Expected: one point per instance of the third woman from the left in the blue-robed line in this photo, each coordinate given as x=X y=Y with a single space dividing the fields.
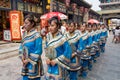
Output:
x=73 y=39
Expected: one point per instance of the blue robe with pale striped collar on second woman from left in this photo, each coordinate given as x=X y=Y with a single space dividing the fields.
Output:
x=59 y=50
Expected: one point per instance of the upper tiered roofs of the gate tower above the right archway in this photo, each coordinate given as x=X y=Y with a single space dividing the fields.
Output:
x=110 y=9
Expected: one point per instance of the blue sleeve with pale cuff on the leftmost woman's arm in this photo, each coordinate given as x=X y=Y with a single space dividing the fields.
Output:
x=38 y=48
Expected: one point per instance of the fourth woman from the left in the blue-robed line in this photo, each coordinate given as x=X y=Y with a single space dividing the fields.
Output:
x=85 y=56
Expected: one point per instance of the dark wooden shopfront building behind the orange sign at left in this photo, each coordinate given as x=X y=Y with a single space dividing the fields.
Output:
x=23 y=6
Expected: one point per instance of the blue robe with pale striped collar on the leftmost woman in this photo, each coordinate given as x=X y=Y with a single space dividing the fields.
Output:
x=31 y=49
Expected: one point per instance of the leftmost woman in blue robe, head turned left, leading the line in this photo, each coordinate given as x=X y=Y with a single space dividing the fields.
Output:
x=30 y=51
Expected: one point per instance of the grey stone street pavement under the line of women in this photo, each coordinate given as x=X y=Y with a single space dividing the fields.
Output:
x=107 y=66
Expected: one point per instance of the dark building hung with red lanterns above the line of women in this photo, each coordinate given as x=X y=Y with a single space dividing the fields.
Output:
x=76 y=10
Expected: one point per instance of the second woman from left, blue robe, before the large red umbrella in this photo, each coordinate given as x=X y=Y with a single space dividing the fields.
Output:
x=58 y=52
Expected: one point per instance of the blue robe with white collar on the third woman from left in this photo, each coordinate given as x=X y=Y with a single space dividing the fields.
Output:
x=73 y=40
